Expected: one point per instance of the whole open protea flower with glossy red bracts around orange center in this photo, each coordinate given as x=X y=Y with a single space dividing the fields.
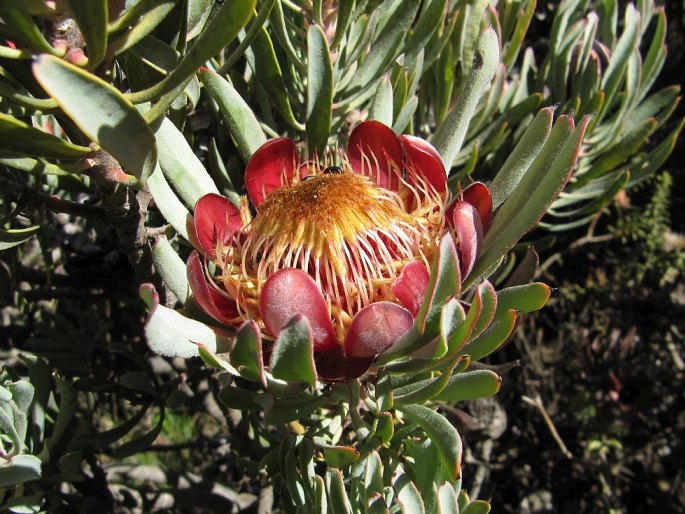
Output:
x=344 y=240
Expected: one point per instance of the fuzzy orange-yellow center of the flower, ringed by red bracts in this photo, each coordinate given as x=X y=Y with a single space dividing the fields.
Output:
x=350 y=235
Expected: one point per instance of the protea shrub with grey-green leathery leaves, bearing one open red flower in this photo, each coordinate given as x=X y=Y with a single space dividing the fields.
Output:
x=292 y=184
